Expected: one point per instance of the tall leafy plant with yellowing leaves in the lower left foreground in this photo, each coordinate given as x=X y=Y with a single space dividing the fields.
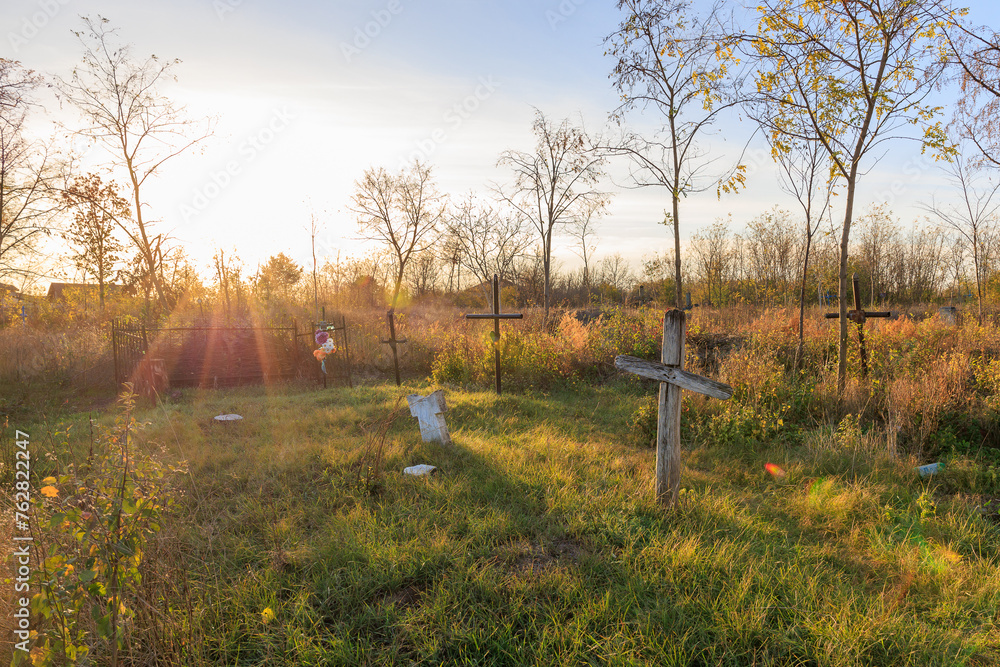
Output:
x=97 y=522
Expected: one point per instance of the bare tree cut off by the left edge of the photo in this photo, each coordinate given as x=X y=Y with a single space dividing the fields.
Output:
x=29 y=175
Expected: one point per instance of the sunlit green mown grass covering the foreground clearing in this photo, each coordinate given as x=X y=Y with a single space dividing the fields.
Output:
x=539 y=541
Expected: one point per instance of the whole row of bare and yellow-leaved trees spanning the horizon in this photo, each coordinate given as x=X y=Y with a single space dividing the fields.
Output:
x=828 y=99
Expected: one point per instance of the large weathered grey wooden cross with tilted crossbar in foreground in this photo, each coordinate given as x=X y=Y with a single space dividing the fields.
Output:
x=672 y=377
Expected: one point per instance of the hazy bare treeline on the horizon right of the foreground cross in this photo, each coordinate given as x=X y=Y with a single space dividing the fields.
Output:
x=896 y=264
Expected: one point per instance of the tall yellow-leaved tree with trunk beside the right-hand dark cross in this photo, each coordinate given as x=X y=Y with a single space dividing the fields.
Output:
x=850 y=75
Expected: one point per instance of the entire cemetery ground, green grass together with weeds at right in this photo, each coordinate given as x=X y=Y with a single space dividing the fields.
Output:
x=294 y=537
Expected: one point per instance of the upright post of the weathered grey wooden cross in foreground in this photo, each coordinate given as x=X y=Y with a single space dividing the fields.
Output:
x=668 y=423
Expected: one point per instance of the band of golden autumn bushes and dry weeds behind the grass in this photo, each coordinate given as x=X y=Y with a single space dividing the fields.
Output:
x=932 y=387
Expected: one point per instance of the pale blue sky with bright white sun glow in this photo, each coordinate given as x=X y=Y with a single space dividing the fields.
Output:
x=305 y=95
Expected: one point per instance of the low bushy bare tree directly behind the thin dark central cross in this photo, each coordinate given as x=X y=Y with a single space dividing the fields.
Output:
x=486 y=240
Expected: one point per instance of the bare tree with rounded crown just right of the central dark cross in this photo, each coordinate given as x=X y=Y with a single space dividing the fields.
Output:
x=554 y=184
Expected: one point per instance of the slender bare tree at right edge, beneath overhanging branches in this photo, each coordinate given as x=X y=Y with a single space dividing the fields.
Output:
x=973 y=218
